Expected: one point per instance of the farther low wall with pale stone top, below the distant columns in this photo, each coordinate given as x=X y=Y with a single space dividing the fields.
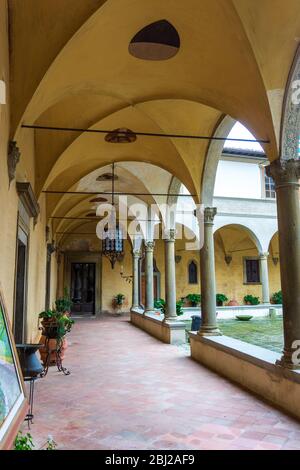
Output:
x=165 y=331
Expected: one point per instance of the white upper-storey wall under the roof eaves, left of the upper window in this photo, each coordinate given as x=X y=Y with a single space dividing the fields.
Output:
x=238 y=179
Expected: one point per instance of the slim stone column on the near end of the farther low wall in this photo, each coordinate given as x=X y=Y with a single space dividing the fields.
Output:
x=170 y=276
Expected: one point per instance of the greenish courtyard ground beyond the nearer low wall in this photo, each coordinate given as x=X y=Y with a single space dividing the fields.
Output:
x=262 y=331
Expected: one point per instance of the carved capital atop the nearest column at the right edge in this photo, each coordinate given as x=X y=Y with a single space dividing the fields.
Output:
x=284 y=172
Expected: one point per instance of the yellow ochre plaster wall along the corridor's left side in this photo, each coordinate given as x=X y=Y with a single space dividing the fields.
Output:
x=9 y=208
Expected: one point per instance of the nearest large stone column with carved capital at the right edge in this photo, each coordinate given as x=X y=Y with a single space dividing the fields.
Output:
x=286 y=175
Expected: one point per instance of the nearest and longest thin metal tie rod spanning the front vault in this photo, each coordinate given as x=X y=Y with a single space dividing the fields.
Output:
x=146 y=134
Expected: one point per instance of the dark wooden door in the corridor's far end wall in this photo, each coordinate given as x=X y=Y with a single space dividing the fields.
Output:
x=83 y=288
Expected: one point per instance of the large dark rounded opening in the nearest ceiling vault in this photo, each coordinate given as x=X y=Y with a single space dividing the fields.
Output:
x=157 y=41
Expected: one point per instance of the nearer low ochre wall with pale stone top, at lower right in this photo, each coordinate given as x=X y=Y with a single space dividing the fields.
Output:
x=252 y=367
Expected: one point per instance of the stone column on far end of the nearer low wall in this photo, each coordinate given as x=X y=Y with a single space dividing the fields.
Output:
x=209 y=325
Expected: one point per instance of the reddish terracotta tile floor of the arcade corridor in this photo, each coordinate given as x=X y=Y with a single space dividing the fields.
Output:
x=129 y=391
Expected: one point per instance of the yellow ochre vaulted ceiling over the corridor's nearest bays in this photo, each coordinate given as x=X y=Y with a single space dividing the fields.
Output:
x=71 y=67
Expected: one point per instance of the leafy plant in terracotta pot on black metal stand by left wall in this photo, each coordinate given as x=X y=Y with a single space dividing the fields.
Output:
x=55 y=326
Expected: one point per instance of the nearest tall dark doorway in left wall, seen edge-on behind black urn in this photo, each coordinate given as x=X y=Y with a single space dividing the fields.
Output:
x=21 y=287
